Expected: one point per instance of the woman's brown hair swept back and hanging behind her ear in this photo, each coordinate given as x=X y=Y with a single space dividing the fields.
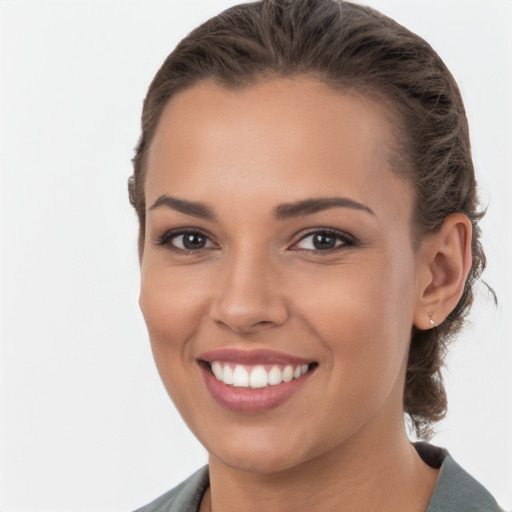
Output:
x=348 y=47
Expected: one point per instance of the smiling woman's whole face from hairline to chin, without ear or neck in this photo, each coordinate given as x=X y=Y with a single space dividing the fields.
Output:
x=278 y=242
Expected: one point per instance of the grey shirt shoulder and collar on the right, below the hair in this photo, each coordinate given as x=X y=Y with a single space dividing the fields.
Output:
x=456 y=489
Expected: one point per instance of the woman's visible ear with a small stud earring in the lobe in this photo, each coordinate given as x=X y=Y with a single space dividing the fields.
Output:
x=445 y=263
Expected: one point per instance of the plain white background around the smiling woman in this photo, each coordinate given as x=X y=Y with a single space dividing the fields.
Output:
x=85 y=423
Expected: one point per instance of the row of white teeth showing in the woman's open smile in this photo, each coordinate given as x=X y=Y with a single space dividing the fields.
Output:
x=257 y=376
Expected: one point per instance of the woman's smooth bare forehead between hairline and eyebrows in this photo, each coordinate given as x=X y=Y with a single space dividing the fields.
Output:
x=294 y=132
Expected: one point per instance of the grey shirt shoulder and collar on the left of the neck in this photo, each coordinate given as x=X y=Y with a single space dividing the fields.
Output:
x=186 y=497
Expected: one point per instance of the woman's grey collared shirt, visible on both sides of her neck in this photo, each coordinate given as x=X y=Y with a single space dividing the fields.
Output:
x=455 y=491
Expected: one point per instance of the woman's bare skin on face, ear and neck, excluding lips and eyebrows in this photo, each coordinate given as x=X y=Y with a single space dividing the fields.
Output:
x=340 y=442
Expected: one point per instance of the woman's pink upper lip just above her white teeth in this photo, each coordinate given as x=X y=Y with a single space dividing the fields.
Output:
x=252 y=357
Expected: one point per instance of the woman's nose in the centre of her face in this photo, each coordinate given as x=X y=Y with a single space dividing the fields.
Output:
x=248 y=296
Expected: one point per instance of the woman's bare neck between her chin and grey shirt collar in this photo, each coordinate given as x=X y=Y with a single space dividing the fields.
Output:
x=365 y=474
